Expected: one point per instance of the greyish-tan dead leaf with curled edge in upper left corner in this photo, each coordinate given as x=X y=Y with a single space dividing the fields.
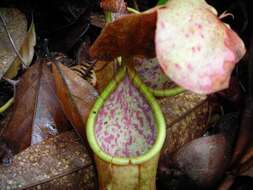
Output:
x=24 y=42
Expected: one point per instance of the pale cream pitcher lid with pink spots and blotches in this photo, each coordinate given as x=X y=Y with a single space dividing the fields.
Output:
x=199 y=52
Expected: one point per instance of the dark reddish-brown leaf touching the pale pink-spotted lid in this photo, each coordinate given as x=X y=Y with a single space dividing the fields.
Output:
x=129 y=35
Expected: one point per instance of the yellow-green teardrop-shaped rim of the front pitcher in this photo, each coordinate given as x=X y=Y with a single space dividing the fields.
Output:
x=159 y=122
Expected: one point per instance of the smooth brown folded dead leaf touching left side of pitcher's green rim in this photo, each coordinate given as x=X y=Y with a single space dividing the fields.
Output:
x=76 y=96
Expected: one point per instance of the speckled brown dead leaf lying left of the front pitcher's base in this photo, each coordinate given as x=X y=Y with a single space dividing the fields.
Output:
x=55 y=163
